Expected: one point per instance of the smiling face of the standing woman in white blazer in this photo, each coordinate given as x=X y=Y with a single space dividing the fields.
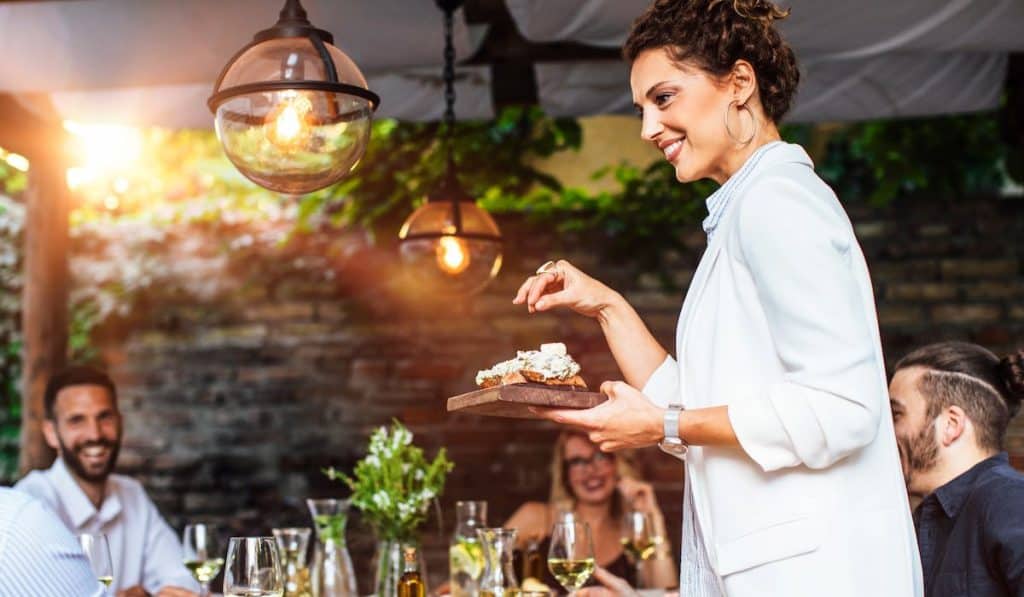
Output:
x=684 y=110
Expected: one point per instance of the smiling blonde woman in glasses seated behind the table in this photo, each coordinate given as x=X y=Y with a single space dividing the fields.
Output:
x=598 y=488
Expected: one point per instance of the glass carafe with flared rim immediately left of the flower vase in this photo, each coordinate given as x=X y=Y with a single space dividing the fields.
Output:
x=331 y=574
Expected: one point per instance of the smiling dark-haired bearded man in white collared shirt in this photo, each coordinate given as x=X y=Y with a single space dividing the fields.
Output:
x=83 y=424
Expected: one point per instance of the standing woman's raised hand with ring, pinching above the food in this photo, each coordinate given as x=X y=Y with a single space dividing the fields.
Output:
x=565 y=286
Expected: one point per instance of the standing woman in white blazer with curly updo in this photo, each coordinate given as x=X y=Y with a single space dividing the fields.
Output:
x=794 y=484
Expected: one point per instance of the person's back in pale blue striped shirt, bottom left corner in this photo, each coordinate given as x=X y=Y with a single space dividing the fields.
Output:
x=39 y=557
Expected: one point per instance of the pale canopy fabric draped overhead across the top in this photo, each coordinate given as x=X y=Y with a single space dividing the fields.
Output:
x=154 y=62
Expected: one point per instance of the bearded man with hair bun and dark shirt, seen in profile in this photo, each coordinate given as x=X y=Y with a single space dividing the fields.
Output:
x=952 y=403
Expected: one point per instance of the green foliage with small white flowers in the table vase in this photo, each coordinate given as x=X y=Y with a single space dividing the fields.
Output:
x=395 y=485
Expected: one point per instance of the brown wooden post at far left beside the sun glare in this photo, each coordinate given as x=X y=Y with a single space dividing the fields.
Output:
x=39 y=136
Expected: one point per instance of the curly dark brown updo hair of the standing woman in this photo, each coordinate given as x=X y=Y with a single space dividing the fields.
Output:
x=714 y=34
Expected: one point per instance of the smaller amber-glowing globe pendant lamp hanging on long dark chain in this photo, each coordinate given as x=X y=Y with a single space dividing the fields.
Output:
x=450 y=244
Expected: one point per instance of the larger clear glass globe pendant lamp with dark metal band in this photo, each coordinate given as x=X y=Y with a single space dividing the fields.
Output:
x=292 y=111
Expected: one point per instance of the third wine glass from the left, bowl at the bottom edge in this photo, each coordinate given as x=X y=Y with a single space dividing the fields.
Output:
x=253 y=569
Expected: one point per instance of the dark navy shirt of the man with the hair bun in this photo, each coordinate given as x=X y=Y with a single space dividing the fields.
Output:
x=971 y=533
